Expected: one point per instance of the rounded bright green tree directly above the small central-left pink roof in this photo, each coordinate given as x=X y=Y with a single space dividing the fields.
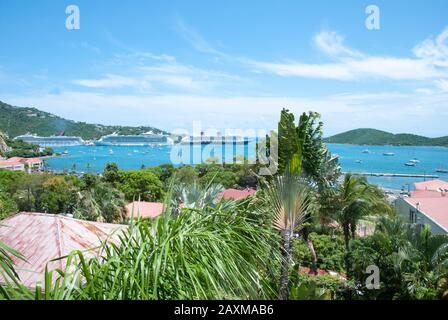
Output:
x=141 y=184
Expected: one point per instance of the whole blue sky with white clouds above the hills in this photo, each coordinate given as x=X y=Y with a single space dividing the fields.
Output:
x=230 y=64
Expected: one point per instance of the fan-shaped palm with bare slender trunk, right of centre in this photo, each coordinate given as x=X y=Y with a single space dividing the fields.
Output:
x=290 y=201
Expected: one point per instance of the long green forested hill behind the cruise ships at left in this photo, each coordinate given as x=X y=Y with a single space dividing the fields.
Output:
x=15 y=121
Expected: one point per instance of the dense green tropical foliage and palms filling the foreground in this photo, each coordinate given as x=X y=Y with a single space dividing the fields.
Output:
x=204 y=247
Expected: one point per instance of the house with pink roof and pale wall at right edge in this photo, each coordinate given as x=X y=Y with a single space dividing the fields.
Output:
x=427 y=205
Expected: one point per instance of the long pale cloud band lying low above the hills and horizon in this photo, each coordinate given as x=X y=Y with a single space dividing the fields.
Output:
x=390 y=111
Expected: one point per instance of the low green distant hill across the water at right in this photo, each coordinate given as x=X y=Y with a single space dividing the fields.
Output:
x=378 y=137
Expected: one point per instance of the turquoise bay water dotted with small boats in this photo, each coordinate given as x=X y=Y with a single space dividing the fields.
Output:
x=94 y=158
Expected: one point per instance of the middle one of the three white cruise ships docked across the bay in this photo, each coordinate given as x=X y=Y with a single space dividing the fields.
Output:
x=146 y=139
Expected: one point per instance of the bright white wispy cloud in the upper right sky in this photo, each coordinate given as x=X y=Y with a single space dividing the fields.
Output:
x=352 y=64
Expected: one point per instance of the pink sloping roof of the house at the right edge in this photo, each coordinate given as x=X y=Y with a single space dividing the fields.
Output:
x=436 y=208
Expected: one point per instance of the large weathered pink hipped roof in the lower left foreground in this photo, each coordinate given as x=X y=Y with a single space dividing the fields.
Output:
x=43 y=237
